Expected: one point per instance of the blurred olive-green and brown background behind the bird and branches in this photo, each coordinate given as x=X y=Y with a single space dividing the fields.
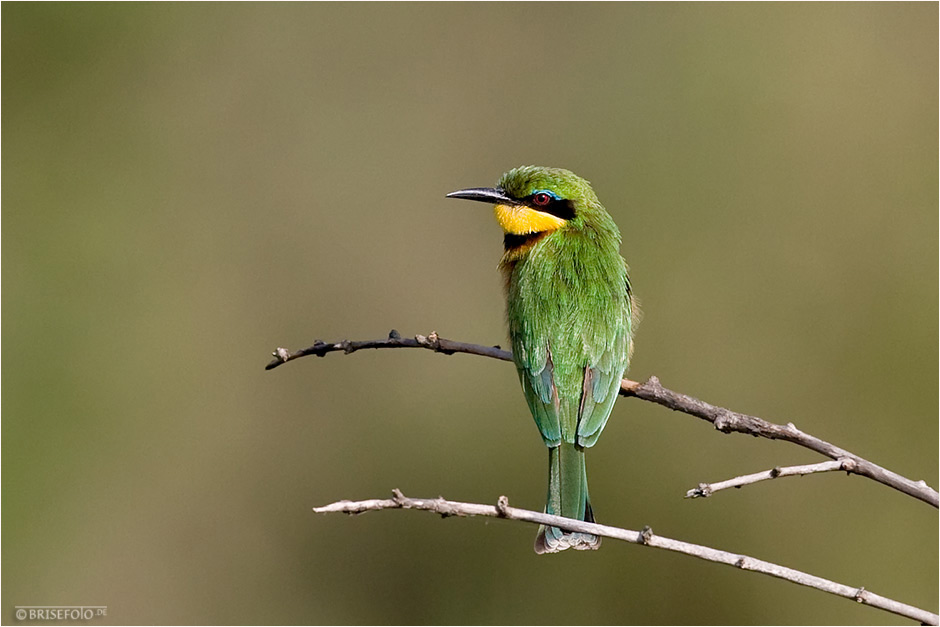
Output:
x=187 y=187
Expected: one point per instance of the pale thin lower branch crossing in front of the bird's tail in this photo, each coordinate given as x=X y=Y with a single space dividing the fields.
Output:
x=645 y=537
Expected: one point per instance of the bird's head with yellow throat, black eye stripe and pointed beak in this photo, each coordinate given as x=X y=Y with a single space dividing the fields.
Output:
x=533 y=199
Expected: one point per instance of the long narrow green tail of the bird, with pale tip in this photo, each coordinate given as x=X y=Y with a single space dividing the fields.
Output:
x=568 y=497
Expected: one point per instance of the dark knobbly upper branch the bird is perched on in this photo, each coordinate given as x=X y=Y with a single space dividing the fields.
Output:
x=725 y=420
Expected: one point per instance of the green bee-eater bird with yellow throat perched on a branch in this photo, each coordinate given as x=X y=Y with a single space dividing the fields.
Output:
x=571 y=318
